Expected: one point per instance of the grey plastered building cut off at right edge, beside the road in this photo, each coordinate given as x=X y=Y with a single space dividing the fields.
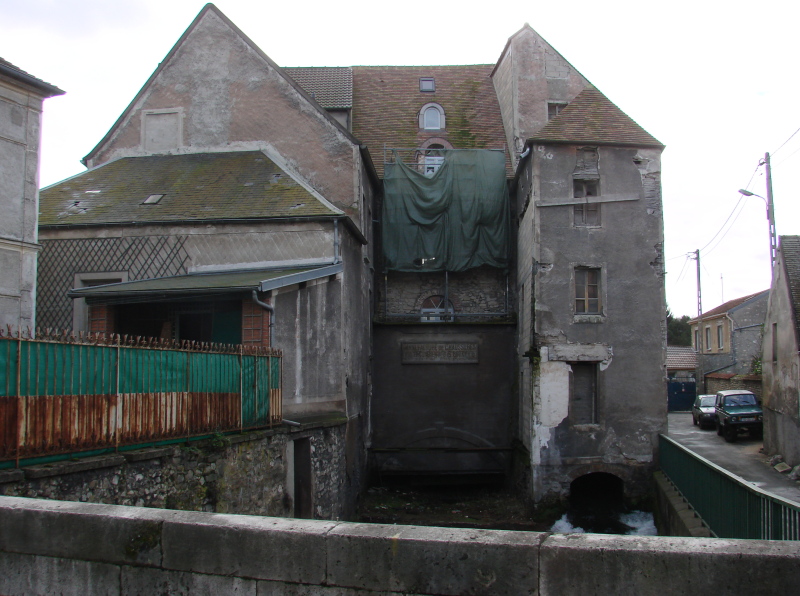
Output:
x=781 y=360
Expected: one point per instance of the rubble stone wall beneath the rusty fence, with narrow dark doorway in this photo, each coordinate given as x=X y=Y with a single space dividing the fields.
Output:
x=247 y=473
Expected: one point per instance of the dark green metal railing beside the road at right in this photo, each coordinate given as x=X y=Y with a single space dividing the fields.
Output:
x=729 y=506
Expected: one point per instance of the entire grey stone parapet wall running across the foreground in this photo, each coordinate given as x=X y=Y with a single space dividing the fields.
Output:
x=51 y=547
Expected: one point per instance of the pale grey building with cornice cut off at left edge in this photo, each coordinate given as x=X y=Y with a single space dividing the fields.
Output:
x=21 y=98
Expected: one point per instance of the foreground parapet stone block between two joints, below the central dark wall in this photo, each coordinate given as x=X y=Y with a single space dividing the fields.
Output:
x=431 y=560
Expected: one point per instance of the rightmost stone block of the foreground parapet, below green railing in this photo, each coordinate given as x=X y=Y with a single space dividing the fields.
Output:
x=606 y=564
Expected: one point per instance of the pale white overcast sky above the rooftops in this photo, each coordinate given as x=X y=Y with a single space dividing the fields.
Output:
x=716 y=82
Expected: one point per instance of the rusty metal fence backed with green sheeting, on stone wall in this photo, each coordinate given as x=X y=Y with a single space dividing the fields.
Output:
x=70 y=394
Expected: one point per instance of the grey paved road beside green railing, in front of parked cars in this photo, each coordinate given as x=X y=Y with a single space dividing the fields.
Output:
x=742 y=458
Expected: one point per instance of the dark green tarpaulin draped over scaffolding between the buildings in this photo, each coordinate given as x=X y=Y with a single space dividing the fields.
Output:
x=452 y=219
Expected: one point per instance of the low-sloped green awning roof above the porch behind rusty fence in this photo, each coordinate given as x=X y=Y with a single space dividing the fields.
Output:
x=202 y=284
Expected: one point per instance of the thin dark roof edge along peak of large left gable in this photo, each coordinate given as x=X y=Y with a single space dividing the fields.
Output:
x=163 y=64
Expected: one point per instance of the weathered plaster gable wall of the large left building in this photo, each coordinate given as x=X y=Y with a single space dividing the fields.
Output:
x=231 y=98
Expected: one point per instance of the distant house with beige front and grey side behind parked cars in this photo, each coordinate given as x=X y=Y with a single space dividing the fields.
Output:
x=727 y=340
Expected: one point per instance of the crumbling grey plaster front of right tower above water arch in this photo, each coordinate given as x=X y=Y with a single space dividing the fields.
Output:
x=627 y=340
